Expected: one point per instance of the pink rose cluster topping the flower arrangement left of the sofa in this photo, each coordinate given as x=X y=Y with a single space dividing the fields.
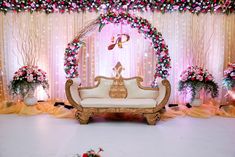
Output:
x=31 y=74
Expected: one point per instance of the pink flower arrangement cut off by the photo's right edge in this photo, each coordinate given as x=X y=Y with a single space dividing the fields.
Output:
x=229 y=77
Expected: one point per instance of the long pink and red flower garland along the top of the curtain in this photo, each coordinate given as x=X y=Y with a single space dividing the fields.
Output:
x=51 y=6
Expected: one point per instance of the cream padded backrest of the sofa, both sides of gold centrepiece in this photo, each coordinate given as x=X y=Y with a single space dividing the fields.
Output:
x=134 y=89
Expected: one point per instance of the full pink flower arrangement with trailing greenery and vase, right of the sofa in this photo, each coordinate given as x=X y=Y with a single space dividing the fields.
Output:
x=195 y=78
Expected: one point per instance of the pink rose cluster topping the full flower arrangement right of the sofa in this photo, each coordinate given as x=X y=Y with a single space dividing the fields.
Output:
x=195 y=73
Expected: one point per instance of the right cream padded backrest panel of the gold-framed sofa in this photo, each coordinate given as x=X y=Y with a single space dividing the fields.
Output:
x=134 y=92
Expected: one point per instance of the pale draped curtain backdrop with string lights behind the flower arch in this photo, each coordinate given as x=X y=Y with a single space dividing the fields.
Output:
x=206 y=40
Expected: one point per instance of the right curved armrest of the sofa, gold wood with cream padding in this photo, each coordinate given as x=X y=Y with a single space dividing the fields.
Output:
x=164 y=93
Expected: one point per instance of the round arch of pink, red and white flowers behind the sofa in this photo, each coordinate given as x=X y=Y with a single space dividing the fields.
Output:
x=142 y=25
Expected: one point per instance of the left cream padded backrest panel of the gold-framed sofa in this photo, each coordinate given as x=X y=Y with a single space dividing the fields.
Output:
x=102 y=91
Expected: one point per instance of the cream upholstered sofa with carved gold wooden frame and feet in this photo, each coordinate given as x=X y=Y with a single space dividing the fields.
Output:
x=144 y=100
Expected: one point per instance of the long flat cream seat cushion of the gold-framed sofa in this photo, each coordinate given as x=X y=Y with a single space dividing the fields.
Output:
x=112 y=102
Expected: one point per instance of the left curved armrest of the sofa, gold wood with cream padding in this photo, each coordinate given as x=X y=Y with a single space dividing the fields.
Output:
x=71 y=90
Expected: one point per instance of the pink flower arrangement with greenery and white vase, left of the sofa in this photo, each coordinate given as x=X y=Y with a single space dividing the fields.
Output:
x=26 y=80
